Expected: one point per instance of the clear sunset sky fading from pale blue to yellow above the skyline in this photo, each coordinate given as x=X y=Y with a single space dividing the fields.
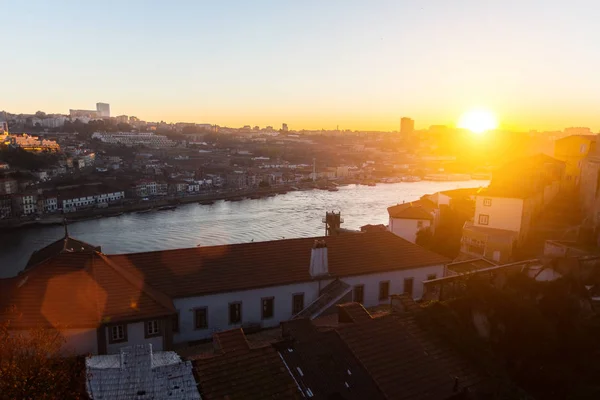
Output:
x=312 y=64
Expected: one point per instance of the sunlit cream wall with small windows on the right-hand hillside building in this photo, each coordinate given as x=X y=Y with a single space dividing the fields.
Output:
x=504 y=213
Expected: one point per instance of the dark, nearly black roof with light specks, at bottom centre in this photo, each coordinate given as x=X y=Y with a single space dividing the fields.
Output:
x=323 y=365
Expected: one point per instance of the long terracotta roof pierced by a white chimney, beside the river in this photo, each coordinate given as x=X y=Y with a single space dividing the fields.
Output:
x=214 y=269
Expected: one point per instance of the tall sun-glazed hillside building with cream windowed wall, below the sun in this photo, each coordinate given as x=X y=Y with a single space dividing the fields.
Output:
x=504 y=211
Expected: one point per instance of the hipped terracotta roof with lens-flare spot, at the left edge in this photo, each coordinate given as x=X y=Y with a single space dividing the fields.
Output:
x=80 y=290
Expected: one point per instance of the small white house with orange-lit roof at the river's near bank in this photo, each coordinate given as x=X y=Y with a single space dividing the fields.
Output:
x=407 y=219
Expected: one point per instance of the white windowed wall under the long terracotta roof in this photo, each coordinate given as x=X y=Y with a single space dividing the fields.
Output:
x=218 y=304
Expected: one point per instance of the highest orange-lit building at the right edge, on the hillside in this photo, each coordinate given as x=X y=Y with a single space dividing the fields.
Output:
x=573 y=150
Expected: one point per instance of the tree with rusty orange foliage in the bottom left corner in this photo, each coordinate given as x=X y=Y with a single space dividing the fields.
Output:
x=33 y=367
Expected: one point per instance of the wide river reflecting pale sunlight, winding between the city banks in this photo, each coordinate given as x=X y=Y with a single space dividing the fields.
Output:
x=295 y=214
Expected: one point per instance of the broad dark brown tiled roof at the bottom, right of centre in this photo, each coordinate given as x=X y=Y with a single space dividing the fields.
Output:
x=405 y=361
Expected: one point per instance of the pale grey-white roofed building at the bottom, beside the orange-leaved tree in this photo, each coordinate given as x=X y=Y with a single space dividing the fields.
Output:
x=140 y=373
